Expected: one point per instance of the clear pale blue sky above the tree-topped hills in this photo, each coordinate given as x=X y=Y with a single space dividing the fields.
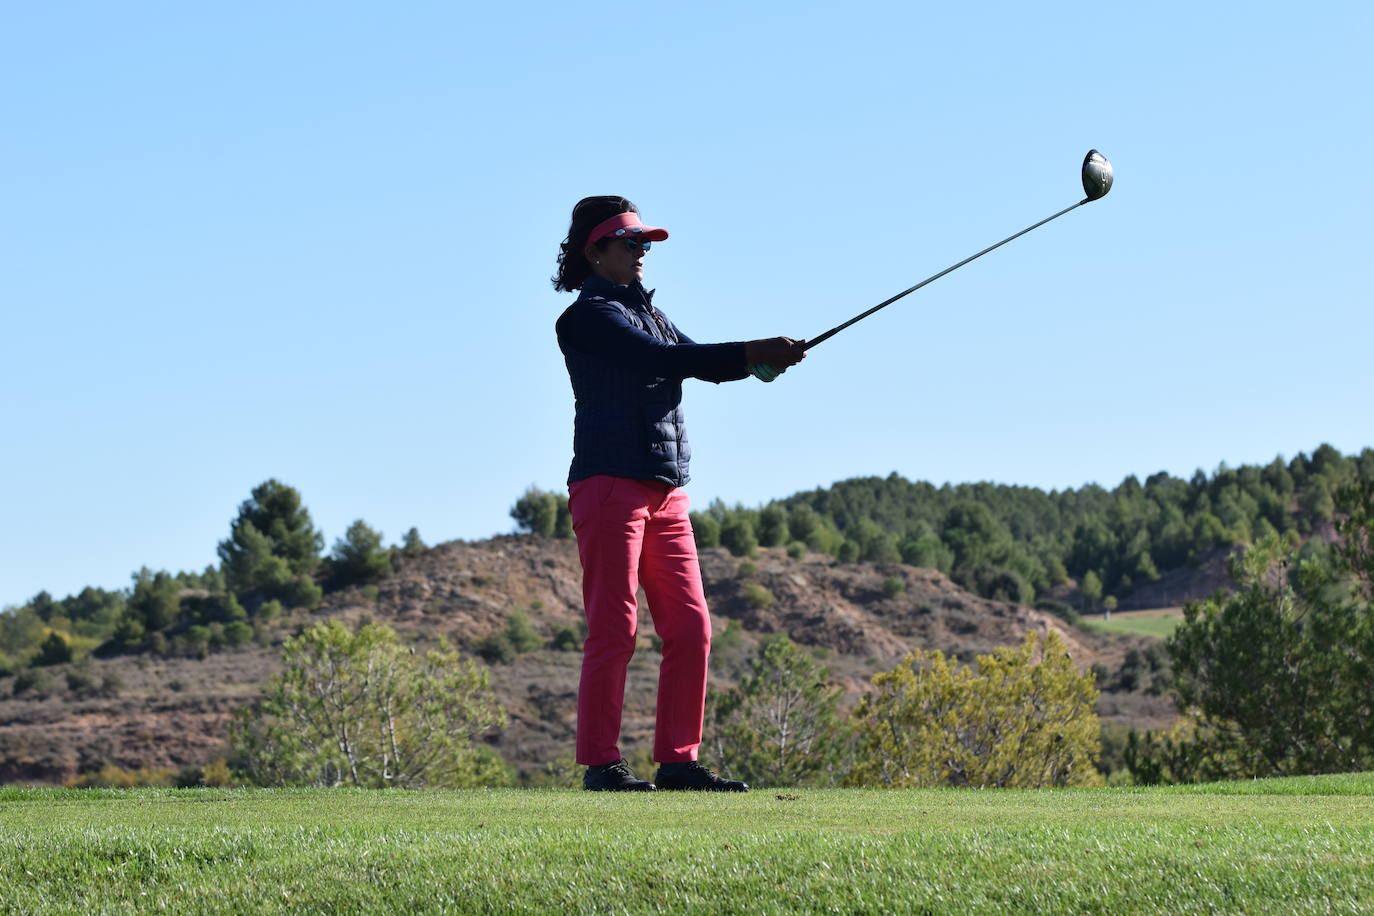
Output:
x=314 y=242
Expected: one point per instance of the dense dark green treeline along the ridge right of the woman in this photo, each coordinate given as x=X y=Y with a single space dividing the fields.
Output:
x=1017 y=543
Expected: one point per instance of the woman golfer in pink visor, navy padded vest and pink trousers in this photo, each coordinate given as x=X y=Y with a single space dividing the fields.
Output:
x=627 y=363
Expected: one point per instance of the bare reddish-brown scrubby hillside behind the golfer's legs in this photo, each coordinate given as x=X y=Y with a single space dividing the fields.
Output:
x=146 y=711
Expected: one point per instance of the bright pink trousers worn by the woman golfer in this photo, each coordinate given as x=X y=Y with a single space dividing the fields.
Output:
x=634 y=534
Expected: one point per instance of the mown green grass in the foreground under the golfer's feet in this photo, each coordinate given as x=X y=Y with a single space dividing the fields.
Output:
x=1291 y=847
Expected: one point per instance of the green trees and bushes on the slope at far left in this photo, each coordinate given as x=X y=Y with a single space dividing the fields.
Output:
x=271 y=562
